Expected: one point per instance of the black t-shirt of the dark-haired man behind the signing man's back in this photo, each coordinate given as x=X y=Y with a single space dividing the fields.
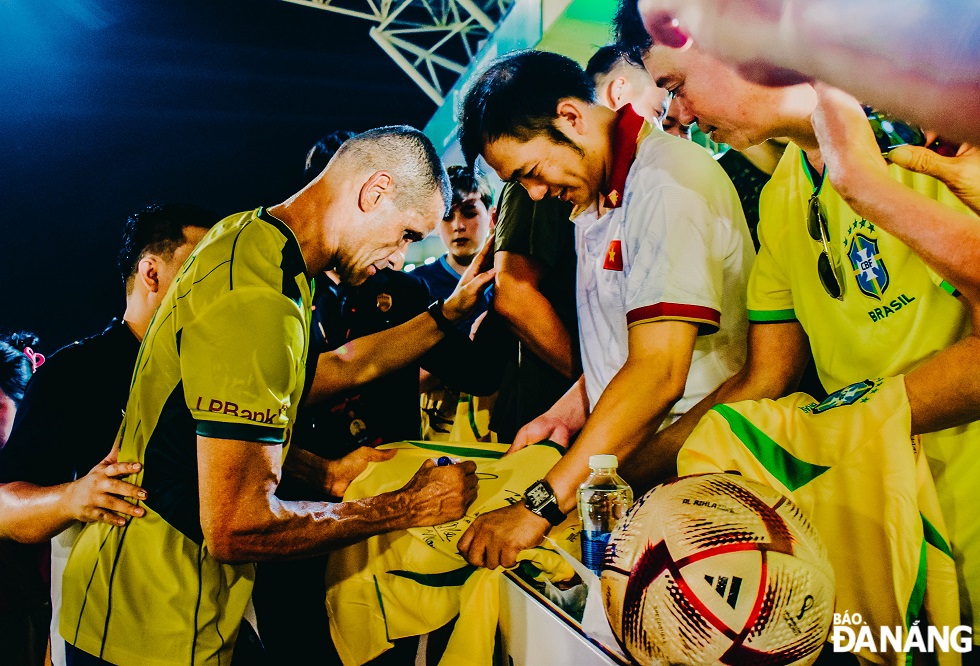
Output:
x=64 y=427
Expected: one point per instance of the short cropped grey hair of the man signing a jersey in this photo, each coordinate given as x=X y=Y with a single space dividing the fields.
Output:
x=410 y=157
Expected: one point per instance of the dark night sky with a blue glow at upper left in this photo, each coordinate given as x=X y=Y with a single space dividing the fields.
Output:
x=109 y=105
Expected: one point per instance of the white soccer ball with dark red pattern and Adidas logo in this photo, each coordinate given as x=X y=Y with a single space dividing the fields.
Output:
x=713 y=568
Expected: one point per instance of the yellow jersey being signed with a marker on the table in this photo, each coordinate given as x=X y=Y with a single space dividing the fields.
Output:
x=411 y=582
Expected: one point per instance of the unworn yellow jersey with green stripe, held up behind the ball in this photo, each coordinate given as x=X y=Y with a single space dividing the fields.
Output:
x=852 y=468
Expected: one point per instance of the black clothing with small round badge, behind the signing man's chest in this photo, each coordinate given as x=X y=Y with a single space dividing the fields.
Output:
x=386 y=409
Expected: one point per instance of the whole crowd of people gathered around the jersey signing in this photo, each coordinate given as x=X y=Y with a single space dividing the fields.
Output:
x=171 y=487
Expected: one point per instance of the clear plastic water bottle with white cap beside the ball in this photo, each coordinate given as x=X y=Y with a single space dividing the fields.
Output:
x=602 y=501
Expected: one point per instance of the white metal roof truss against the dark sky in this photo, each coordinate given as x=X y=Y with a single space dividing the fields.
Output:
x=433 y=41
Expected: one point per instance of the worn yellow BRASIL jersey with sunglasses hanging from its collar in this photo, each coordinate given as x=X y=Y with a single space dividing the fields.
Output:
x=895 y=311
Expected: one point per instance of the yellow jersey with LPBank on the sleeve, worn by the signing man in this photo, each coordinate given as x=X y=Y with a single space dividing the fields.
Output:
x=224 y=357
